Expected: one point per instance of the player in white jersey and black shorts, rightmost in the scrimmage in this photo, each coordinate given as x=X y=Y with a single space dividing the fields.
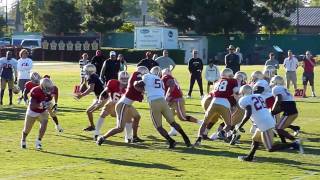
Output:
x=286 y=104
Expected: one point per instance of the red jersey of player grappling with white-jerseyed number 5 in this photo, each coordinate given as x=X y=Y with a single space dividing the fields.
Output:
x=131 y=92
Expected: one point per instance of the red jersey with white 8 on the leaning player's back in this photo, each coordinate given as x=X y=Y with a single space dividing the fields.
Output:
x=224 y=88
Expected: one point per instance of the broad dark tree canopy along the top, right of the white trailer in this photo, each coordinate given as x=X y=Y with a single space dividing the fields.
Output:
x=219 y=16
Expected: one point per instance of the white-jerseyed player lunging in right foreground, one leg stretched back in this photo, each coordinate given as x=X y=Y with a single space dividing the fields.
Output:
x=255 y=108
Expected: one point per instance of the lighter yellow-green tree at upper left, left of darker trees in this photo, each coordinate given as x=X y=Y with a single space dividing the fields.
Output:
x=31 y=15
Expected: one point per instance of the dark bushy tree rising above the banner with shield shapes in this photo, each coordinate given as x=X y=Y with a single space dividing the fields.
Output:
x=60 y=16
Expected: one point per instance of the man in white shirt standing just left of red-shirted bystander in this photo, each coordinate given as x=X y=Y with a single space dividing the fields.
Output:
x=291 y=64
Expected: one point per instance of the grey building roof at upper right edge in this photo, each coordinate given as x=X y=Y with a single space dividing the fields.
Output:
x=308 y=16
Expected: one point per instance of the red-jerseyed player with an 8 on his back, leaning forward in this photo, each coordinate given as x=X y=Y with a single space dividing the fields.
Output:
x=220 y=105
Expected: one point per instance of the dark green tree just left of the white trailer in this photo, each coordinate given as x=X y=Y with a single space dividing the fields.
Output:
x=103 y=15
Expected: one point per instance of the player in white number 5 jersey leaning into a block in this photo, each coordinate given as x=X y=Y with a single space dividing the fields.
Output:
x=153 y=86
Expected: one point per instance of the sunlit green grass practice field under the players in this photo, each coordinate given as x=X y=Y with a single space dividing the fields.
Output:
x=74 y=155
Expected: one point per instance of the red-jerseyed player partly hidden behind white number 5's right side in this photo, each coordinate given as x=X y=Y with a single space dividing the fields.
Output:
x=175 y=99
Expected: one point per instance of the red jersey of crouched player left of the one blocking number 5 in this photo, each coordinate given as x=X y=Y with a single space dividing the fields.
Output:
x=114 y=90
